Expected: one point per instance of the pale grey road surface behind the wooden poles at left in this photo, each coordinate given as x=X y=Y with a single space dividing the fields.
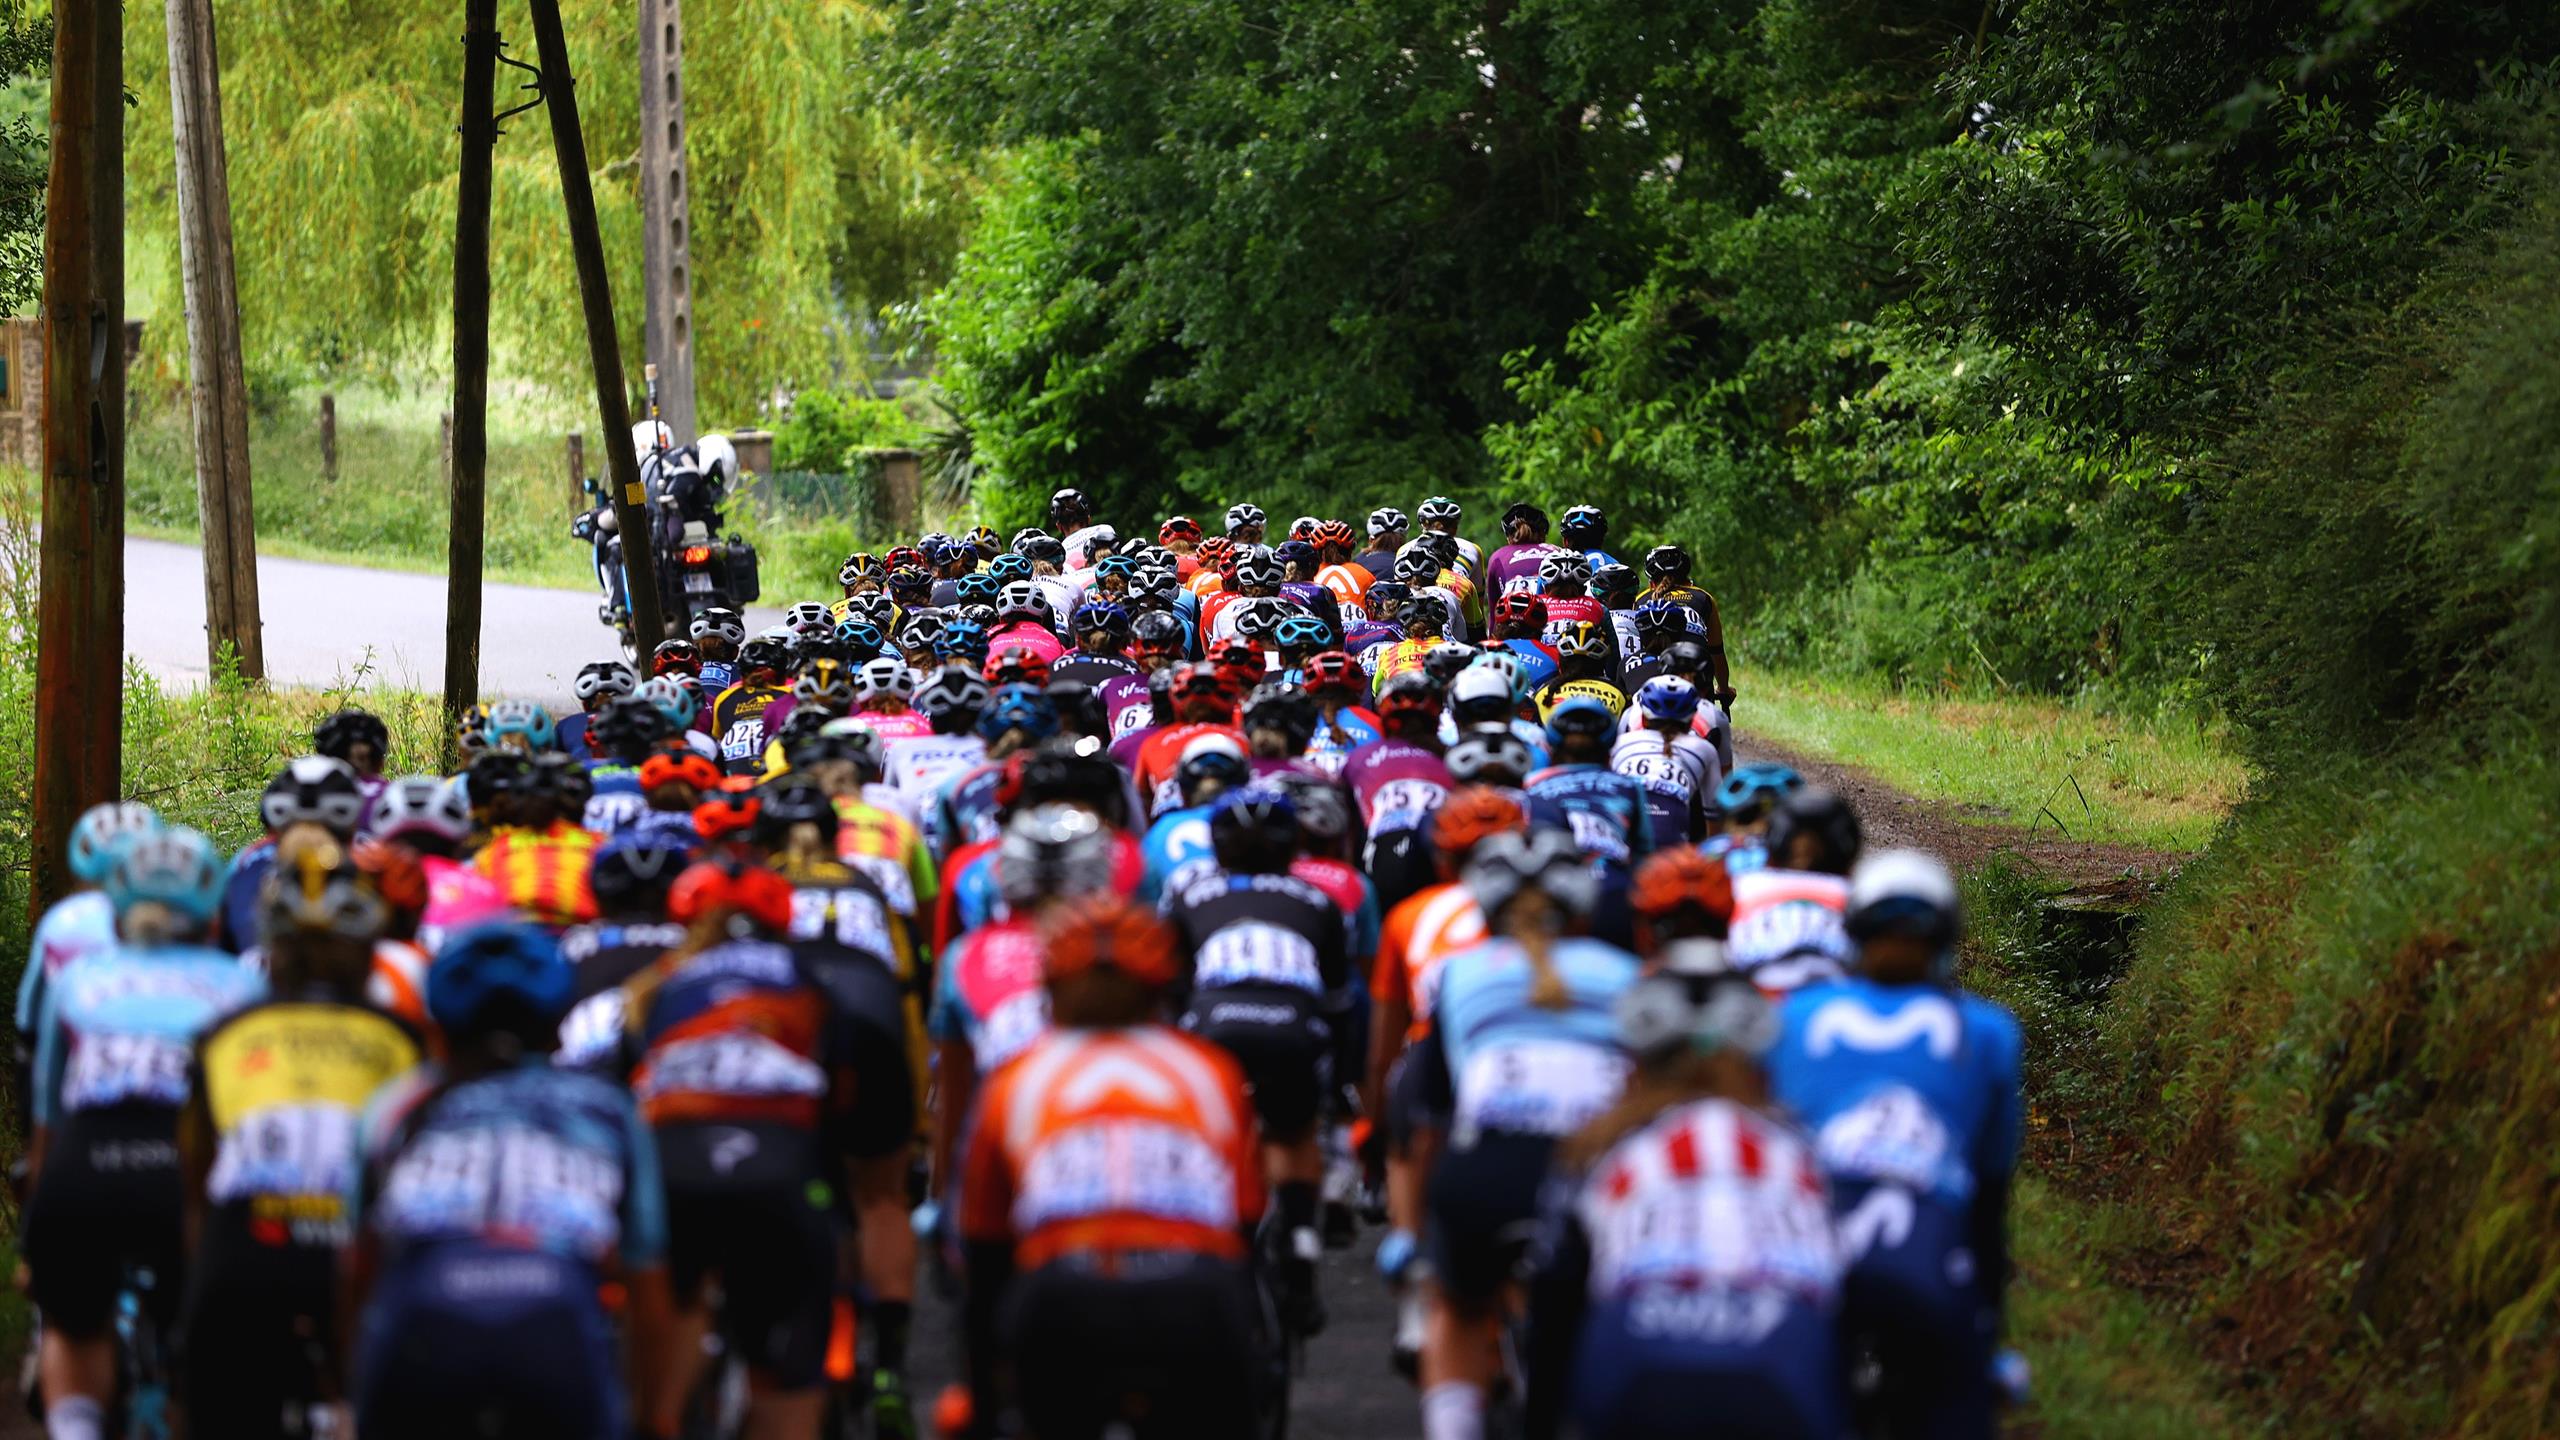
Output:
x=326 y=624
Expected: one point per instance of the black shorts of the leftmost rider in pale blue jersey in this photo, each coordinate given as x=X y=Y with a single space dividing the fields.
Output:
x=106 y=1200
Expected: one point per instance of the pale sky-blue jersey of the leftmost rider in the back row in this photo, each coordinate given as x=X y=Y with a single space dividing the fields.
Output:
x=119 y=1026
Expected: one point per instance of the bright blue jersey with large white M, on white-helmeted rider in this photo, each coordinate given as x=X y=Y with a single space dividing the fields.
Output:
x=1908 y=1085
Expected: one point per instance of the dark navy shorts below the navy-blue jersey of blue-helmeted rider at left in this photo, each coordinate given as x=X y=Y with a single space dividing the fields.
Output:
x=470 y=1339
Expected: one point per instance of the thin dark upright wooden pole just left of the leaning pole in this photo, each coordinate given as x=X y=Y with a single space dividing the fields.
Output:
x=470 y=421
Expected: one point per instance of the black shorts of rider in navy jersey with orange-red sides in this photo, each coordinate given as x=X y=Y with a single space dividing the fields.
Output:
x=772 y=1249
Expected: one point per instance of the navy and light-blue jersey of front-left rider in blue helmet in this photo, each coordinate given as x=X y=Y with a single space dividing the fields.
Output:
x=529 y=1159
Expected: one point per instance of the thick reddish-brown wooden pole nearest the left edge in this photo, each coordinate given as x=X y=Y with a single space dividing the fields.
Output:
x=81 y=629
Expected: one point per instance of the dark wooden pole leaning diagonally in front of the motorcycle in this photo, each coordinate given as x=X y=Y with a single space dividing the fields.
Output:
x=603 y=345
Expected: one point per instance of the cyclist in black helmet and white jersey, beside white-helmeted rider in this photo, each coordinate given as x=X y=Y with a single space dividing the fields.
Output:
x=1788 y=913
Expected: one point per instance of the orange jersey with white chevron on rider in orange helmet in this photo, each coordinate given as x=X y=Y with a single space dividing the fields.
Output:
x=1115 y=1141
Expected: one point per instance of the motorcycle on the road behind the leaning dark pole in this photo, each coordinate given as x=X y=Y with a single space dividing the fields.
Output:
x=698 y=568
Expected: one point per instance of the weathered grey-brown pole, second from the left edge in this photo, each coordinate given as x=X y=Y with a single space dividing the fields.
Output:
x=214 y=342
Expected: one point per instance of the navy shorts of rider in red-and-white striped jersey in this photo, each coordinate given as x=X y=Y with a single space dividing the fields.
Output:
x=1647 y=1382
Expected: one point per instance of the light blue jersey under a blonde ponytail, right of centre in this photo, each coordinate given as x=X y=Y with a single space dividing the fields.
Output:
x=1522 y=1067
